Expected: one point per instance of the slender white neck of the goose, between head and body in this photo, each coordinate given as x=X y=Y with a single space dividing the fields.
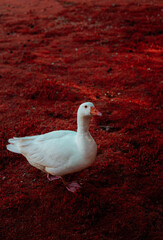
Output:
x=83 y=124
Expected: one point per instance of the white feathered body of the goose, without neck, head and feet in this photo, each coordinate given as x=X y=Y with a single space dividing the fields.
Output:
x=58 y=152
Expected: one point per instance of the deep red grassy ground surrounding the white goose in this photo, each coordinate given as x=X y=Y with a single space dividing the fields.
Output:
x=55 y=55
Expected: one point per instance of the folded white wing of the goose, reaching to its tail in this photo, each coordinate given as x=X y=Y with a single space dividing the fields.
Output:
x=49 y=150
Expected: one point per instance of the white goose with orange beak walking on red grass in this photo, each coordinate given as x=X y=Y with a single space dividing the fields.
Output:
x=61 y=152
